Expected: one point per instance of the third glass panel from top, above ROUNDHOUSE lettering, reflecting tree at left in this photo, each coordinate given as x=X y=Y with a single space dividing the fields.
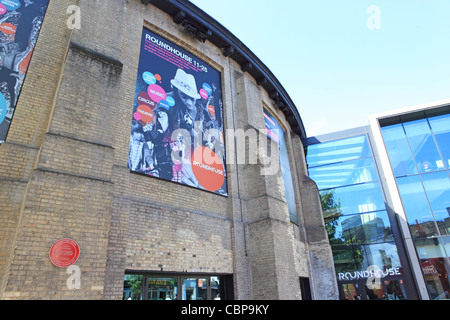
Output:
x=360 y=198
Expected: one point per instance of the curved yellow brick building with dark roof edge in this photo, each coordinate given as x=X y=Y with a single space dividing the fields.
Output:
x=64 y=172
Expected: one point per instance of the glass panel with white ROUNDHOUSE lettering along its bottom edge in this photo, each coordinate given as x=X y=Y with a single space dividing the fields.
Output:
x=349 y=260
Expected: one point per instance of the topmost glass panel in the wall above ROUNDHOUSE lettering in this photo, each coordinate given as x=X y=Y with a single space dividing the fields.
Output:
x=339 y=150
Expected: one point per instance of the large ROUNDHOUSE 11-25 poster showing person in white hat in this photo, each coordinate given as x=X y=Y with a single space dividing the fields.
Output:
x=177 y=123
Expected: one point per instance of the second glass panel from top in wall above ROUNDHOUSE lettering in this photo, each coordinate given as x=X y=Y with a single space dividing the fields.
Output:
x=344 y=173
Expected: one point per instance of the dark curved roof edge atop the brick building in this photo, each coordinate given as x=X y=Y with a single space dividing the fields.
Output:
x=203 y=27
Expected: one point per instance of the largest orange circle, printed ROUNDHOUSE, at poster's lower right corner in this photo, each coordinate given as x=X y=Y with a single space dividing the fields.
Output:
x=208 y=169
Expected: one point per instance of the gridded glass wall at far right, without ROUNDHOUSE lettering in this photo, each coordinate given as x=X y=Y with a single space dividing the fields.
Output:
x=419 y=153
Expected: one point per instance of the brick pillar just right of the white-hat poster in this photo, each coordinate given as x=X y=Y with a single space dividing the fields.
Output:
x=269 y=235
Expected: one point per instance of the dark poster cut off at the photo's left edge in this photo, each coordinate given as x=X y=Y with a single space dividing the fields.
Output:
x=20 y=24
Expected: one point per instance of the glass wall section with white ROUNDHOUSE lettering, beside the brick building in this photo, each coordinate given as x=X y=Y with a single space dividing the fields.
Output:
x=355 y=216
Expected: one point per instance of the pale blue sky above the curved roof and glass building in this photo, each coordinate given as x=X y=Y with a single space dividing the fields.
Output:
x=335 y=68
